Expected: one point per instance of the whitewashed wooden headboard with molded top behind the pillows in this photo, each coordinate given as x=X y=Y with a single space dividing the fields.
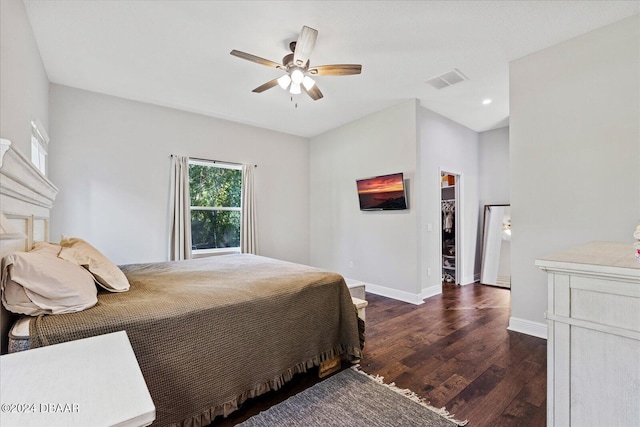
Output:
x=26 y=197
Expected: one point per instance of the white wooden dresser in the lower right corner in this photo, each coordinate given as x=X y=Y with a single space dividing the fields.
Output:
x=593 y=347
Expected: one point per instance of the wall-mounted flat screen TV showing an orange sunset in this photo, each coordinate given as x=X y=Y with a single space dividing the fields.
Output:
x=384 y=192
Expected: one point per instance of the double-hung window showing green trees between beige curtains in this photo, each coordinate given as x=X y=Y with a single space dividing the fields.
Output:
x=215 y=190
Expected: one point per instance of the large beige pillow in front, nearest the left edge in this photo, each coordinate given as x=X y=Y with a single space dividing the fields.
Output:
x=37 y=283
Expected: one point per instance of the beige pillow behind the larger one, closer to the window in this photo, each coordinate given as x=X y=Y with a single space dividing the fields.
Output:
x=107 y=274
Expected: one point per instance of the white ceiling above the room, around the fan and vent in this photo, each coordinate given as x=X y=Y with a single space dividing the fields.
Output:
x=176 y=53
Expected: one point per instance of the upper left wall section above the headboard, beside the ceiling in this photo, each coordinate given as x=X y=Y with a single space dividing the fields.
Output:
x=24 y=86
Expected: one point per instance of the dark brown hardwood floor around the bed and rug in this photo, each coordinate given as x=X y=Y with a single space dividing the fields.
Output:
x=454 y=351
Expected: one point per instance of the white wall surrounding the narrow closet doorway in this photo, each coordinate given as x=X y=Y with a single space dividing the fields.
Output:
x=448 y=146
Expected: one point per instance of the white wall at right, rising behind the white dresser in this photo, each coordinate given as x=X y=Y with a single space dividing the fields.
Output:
x=575 y=154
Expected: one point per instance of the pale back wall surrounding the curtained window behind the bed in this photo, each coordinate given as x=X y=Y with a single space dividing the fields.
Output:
x=111 y=163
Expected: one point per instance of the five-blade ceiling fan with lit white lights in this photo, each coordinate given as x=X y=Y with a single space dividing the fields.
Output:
x=297 y=67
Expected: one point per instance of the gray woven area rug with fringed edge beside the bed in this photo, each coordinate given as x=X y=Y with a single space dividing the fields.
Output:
x=353 y=398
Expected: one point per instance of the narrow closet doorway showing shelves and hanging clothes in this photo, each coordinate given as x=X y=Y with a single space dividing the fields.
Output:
x=450 y=231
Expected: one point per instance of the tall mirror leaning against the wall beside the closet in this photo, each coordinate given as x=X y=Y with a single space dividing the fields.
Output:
x=496 y=246
